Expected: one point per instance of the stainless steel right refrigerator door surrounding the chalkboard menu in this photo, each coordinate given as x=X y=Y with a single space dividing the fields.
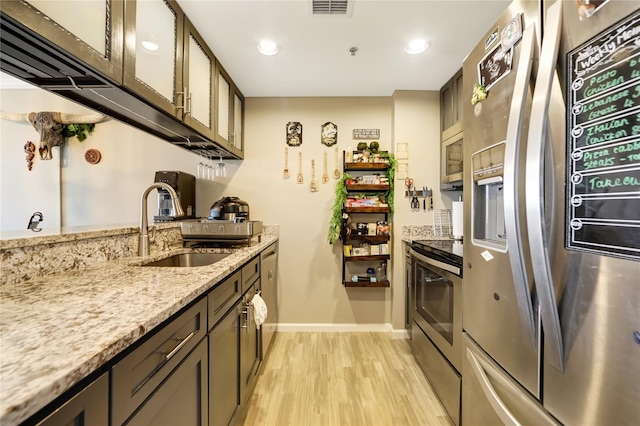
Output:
x=596 y=298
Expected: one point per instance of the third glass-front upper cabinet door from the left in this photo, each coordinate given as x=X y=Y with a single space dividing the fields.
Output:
x=199 y=65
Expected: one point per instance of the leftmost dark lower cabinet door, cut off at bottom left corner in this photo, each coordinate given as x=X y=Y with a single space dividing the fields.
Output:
x=88 y=408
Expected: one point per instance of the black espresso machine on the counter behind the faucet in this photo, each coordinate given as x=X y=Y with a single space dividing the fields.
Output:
x=185 y=186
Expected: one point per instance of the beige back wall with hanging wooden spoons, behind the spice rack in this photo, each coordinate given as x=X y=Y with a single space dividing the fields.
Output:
x=311 y=269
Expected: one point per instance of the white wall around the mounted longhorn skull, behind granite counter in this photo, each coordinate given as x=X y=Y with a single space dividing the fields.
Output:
x=71 y=192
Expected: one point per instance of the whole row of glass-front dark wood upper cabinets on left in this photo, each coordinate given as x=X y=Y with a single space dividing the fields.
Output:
x=144 y=61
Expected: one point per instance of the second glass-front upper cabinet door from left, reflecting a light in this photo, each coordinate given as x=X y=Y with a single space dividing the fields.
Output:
x=154 y=42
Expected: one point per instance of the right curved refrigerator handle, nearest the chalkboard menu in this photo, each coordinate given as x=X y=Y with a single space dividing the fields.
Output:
x=534 y=184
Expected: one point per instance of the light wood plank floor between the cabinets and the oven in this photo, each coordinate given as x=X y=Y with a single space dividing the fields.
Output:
x=342 y=379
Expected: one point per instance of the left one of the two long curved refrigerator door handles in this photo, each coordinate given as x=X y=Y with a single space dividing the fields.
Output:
x=510 y=186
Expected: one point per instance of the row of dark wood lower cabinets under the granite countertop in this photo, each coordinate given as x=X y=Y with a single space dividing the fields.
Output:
x=182 y=375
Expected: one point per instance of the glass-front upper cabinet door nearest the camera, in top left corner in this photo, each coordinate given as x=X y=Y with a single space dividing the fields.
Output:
x=93 y=32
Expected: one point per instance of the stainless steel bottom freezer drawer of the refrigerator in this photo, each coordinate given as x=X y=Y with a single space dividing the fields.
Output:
x=491 y=397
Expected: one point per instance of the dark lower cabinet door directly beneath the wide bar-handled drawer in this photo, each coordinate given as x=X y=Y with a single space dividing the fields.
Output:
x=183 y=398
